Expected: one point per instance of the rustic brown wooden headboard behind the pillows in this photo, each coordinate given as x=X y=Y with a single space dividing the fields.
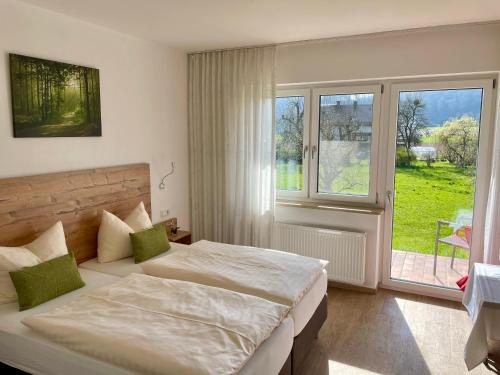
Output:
x=30 y=205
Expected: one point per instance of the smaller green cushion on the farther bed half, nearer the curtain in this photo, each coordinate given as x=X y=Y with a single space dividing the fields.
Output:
x=149 y=243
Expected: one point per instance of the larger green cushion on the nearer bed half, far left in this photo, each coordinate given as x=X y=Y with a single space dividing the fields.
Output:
x=46 y=281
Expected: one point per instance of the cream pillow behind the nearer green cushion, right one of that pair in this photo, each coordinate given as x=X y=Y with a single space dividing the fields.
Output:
x=50 y=244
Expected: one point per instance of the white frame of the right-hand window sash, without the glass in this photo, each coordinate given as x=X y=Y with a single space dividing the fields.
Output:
x=371 y=198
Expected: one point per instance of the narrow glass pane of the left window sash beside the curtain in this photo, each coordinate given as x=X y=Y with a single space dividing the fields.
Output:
x=289 y=142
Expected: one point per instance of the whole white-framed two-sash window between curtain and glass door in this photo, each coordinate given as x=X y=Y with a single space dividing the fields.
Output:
x=341 y=151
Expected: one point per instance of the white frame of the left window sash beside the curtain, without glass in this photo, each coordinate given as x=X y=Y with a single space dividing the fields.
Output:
x=304 y=193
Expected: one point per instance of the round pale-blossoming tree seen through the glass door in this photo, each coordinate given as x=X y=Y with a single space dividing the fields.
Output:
x=459 y=140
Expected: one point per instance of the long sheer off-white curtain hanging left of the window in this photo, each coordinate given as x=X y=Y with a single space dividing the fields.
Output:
x=231 y=114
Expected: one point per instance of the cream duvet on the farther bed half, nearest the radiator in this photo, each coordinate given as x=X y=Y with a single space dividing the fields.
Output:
x=274 y=275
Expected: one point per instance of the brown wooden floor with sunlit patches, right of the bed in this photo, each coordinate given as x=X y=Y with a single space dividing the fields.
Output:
x=390 y=333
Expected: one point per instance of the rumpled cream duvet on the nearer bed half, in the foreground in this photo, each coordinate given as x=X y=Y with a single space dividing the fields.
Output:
x=156 y=326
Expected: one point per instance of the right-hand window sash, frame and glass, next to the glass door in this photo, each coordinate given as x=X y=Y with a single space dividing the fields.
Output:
x=344 y=132
